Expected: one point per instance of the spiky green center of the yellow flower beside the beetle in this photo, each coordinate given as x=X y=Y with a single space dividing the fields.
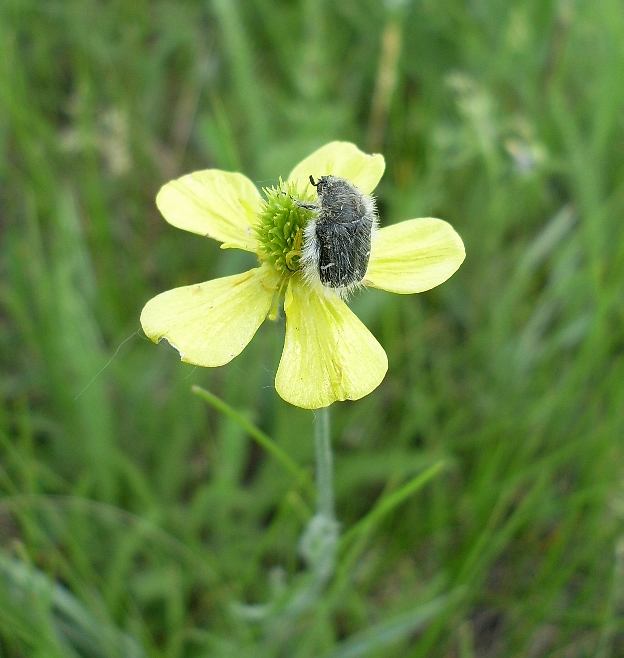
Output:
x=281 y=222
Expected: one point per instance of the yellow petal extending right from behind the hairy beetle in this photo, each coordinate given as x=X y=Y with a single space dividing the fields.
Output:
x=413 y=256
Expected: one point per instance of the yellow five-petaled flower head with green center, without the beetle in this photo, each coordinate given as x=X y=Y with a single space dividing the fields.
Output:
x=328 y=353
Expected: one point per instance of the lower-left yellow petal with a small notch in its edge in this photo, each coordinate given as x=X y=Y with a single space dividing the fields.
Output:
x=211 y=323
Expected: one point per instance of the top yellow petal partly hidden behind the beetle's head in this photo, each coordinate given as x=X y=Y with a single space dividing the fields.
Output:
x=340 y=159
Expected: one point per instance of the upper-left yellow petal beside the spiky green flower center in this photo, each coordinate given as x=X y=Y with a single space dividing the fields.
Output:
x=219 y=204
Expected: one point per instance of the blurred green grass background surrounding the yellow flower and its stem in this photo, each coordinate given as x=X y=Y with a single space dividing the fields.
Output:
x=135 y=519
